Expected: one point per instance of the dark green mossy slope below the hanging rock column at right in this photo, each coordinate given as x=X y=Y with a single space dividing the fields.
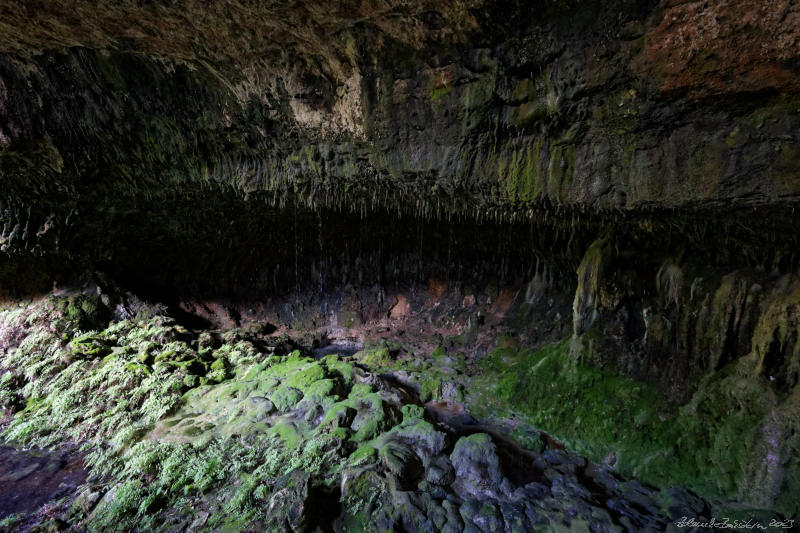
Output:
x=713 y=444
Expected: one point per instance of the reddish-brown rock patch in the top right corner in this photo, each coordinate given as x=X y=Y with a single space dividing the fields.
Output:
x=724 y=47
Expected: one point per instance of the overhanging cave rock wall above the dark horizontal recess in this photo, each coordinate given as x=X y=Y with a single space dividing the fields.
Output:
x=454 y=110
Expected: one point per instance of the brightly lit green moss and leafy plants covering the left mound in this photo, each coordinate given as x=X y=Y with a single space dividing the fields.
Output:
x=163 y=438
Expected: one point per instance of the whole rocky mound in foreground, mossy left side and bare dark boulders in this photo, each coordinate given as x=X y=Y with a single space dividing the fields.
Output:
x=241 y=430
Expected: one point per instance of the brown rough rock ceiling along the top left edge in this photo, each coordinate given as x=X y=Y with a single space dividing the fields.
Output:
x=241 y=38
